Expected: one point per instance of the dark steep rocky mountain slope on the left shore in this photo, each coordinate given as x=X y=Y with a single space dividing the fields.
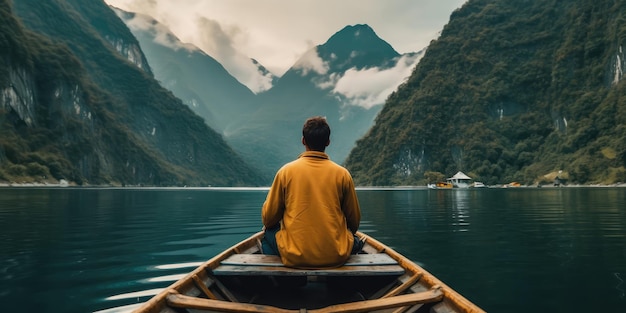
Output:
x=73 y=108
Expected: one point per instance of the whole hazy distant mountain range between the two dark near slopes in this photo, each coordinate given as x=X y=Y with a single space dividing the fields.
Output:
x=346 y=80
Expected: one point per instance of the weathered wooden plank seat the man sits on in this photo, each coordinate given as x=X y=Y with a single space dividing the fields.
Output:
x=270 y=265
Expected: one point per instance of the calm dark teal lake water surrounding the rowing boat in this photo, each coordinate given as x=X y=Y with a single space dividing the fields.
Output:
x=508 y=250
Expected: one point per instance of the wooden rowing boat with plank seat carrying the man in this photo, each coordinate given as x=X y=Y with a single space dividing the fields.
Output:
x=242 y=279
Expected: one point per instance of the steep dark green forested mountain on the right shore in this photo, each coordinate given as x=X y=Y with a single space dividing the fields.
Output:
x=511 y=91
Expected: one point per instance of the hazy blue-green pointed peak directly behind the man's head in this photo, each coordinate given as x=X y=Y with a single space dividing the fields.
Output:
x=325 y=81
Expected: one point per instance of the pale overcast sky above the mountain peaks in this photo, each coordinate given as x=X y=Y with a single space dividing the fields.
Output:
x=278 y=32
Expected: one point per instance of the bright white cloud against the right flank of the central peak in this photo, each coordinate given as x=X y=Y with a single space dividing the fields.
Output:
x=370 y=87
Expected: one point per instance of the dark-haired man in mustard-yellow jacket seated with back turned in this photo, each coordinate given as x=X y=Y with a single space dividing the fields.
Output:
x=311 y=212
